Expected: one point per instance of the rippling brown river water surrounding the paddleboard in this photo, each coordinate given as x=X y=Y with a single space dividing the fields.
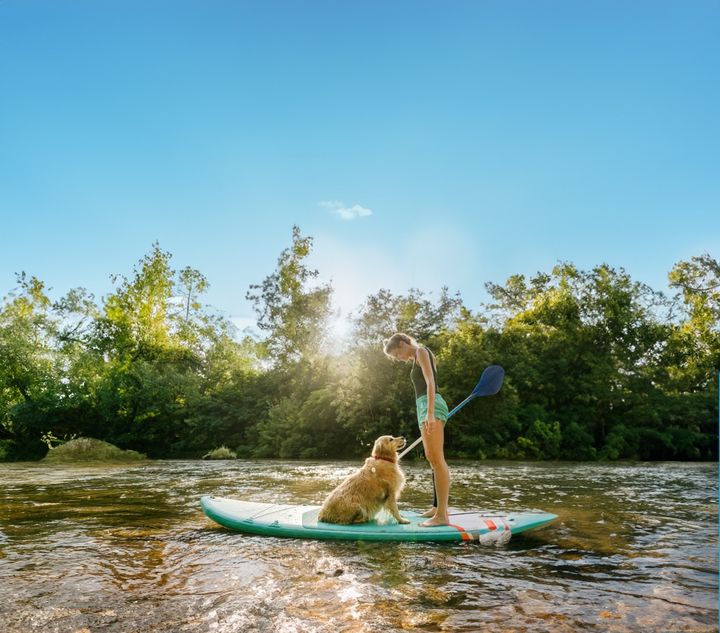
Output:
x=126 y=548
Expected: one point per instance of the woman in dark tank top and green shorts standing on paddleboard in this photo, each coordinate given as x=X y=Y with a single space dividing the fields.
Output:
x=432 y=412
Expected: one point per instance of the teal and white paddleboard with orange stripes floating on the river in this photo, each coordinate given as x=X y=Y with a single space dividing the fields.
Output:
x=298 y=521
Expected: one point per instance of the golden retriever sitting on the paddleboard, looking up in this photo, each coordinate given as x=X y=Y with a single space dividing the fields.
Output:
x=375 y=486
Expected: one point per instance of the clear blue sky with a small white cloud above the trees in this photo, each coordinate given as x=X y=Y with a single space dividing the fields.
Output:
x=420 y=143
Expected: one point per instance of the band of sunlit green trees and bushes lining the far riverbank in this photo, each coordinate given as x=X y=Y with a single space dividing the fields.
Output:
x=598 y=366
